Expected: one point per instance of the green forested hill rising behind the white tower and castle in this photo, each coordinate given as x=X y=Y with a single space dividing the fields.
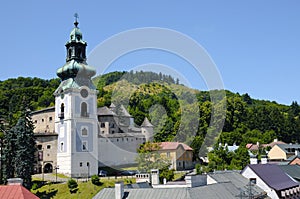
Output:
x=170 y=107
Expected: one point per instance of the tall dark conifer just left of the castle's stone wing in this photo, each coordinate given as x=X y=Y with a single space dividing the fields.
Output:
x=25 y=148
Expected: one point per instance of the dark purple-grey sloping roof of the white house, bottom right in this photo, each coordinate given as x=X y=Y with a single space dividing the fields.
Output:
x=273 y=176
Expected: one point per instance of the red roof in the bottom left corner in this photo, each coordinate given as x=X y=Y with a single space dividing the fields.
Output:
x=16 y=192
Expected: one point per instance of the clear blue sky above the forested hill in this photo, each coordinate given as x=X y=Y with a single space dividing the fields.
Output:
x=254 y=44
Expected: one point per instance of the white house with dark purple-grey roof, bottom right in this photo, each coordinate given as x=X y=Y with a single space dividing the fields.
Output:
x=273 y=180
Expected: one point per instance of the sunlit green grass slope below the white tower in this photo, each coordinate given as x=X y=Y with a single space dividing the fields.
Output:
x=86 y=190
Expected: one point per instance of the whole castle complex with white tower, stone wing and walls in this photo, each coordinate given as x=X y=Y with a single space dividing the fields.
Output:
x=84 y=137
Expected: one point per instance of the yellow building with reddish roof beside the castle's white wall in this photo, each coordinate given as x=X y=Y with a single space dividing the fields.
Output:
x=181 y=155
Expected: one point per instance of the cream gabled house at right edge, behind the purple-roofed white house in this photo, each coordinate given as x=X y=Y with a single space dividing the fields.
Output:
x=281 y=152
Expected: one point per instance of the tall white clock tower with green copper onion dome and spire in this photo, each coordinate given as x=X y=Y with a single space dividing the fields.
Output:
x=76 y=112
